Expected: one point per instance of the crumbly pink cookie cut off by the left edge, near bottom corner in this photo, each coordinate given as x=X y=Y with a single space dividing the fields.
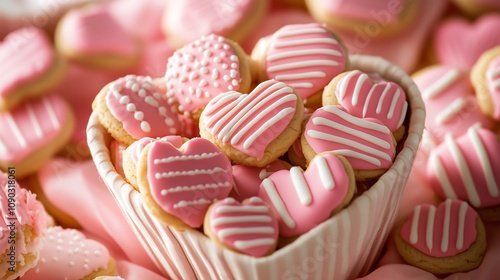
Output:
x=22 y=225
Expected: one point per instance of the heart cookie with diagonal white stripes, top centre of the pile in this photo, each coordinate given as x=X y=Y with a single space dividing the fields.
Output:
x=256 y=128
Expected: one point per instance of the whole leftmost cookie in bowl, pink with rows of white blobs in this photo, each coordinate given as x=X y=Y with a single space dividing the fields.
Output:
x=134 y=107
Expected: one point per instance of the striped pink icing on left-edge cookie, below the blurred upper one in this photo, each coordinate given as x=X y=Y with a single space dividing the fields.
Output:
x=31 y=126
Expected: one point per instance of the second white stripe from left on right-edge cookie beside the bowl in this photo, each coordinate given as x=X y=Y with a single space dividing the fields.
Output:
x=464 y=171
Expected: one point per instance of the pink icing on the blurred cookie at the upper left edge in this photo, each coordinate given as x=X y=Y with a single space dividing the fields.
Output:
x=24 y=58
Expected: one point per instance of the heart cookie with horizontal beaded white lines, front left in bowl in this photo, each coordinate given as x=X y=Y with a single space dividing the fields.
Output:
x=178 y=185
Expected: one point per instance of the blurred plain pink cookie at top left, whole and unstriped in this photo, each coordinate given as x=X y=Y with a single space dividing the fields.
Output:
x=91 y=36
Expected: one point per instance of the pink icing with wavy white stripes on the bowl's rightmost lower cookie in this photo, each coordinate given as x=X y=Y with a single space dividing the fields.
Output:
x=366 y=143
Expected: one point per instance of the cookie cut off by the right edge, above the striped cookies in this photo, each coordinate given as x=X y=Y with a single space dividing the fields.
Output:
x=485 y=77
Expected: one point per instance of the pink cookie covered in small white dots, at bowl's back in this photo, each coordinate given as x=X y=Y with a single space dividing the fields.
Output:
x=202 y=70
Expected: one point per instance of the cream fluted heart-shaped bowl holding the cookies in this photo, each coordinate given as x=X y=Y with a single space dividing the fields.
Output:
x=343 y=247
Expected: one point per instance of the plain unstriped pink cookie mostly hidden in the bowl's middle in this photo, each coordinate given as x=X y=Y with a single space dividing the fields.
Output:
x=247 y=179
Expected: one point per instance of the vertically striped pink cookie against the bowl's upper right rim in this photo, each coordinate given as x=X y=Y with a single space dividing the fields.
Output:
x=369 y=96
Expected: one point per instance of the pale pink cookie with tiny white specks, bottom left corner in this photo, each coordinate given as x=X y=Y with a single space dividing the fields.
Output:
x=67 y=254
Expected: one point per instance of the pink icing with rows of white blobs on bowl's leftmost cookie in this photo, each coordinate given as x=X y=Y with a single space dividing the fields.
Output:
x=138 y=103
